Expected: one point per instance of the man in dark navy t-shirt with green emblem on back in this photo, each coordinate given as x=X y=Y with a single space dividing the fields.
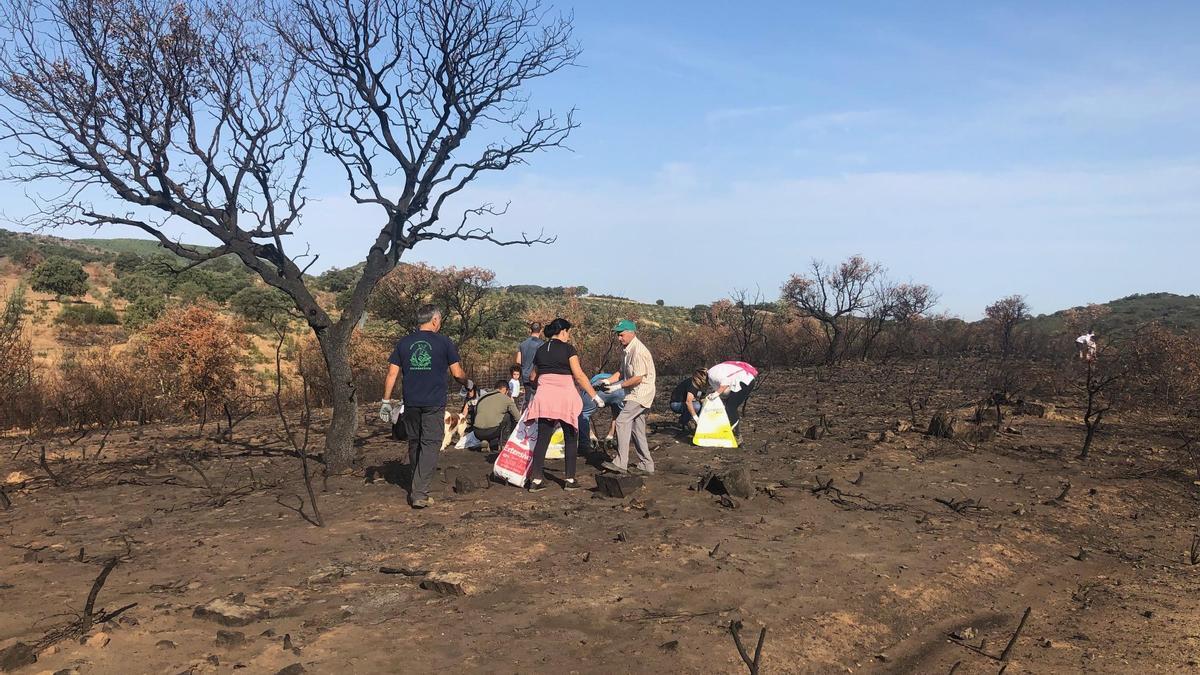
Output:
x=423 y=357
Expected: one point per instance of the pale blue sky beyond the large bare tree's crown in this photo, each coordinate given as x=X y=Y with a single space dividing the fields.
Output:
x=983 y=148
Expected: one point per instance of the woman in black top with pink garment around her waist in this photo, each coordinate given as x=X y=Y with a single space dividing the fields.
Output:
x=557 y=372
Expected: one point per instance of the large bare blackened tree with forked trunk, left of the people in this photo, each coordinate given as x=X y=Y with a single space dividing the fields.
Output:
x=203 y=115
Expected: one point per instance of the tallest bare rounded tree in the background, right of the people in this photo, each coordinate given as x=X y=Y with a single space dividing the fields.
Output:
x=836 y=297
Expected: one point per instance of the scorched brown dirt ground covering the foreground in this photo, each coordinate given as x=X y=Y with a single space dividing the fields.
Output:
x=873 y=577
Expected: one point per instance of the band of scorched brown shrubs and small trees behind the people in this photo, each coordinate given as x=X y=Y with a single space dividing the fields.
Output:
x=196 y=361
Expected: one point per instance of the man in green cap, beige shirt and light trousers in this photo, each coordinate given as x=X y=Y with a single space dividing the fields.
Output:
x=637 y=378
